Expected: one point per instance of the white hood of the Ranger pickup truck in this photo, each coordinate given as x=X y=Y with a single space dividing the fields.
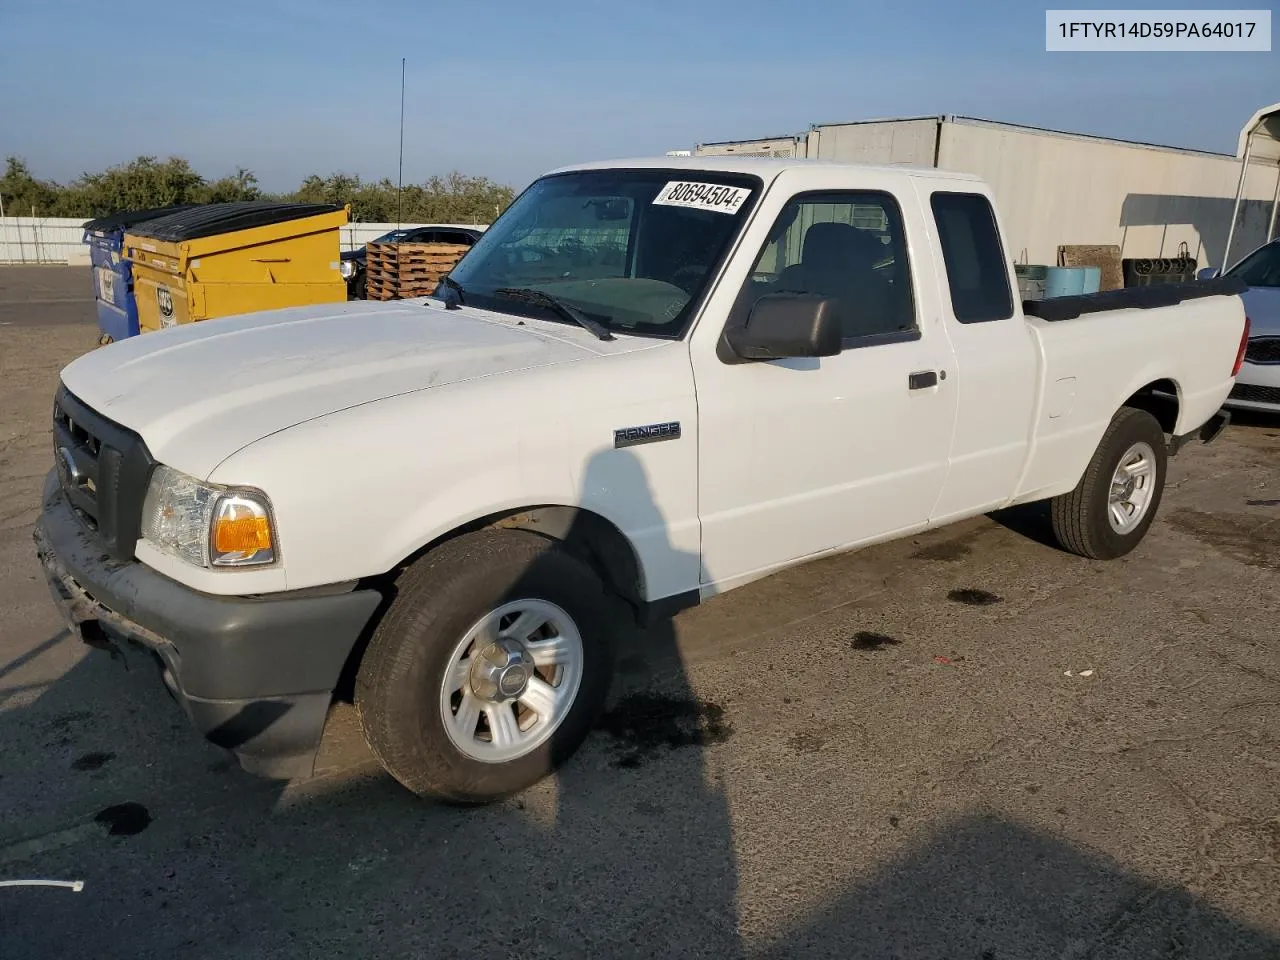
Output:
x=200 y=392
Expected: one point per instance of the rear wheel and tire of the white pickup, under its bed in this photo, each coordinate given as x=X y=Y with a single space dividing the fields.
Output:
x=1114 y=505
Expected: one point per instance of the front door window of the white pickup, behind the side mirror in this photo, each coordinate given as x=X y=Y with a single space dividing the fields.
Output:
x=847 y=246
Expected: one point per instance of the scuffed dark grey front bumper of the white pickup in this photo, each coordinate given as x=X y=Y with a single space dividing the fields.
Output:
x=255 y=675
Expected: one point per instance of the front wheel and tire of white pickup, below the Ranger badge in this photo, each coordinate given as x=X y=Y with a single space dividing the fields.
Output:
x=490 y=668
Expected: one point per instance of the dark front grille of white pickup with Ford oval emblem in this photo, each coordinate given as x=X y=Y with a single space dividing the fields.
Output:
x=104 y=470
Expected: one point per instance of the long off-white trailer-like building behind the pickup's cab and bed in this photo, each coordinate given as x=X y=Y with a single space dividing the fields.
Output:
x=1055 y=188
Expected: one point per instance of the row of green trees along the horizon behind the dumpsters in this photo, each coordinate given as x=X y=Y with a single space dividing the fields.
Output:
x=149 y=182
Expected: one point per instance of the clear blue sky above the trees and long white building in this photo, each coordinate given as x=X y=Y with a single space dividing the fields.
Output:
x=509 y=90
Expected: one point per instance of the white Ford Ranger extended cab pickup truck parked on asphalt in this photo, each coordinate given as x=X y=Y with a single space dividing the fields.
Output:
x=651 y=381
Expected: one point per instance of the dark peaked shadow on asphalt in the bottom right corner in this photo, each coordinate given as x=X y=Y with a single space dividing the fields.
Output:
x=986 y=888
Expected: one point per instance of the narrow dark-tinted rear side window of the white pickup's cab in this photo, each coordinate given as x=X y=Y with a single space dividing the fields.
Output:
x=975 y=258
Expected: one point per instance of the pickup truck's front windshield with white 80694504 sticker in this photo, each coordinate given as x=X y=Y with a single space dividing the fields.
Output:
x=634 y=250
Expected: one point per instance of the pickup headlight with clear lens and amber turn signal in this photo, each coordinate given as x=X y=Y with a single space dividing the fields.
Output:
x=208 y=525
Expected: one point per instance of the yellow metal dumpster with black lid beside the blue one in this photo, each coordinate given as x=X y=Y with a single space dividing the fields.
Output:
x=223 y=259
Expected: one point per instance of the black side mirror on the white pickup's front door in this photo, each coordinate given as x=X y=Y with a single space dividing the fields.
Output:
x=789 y=326
